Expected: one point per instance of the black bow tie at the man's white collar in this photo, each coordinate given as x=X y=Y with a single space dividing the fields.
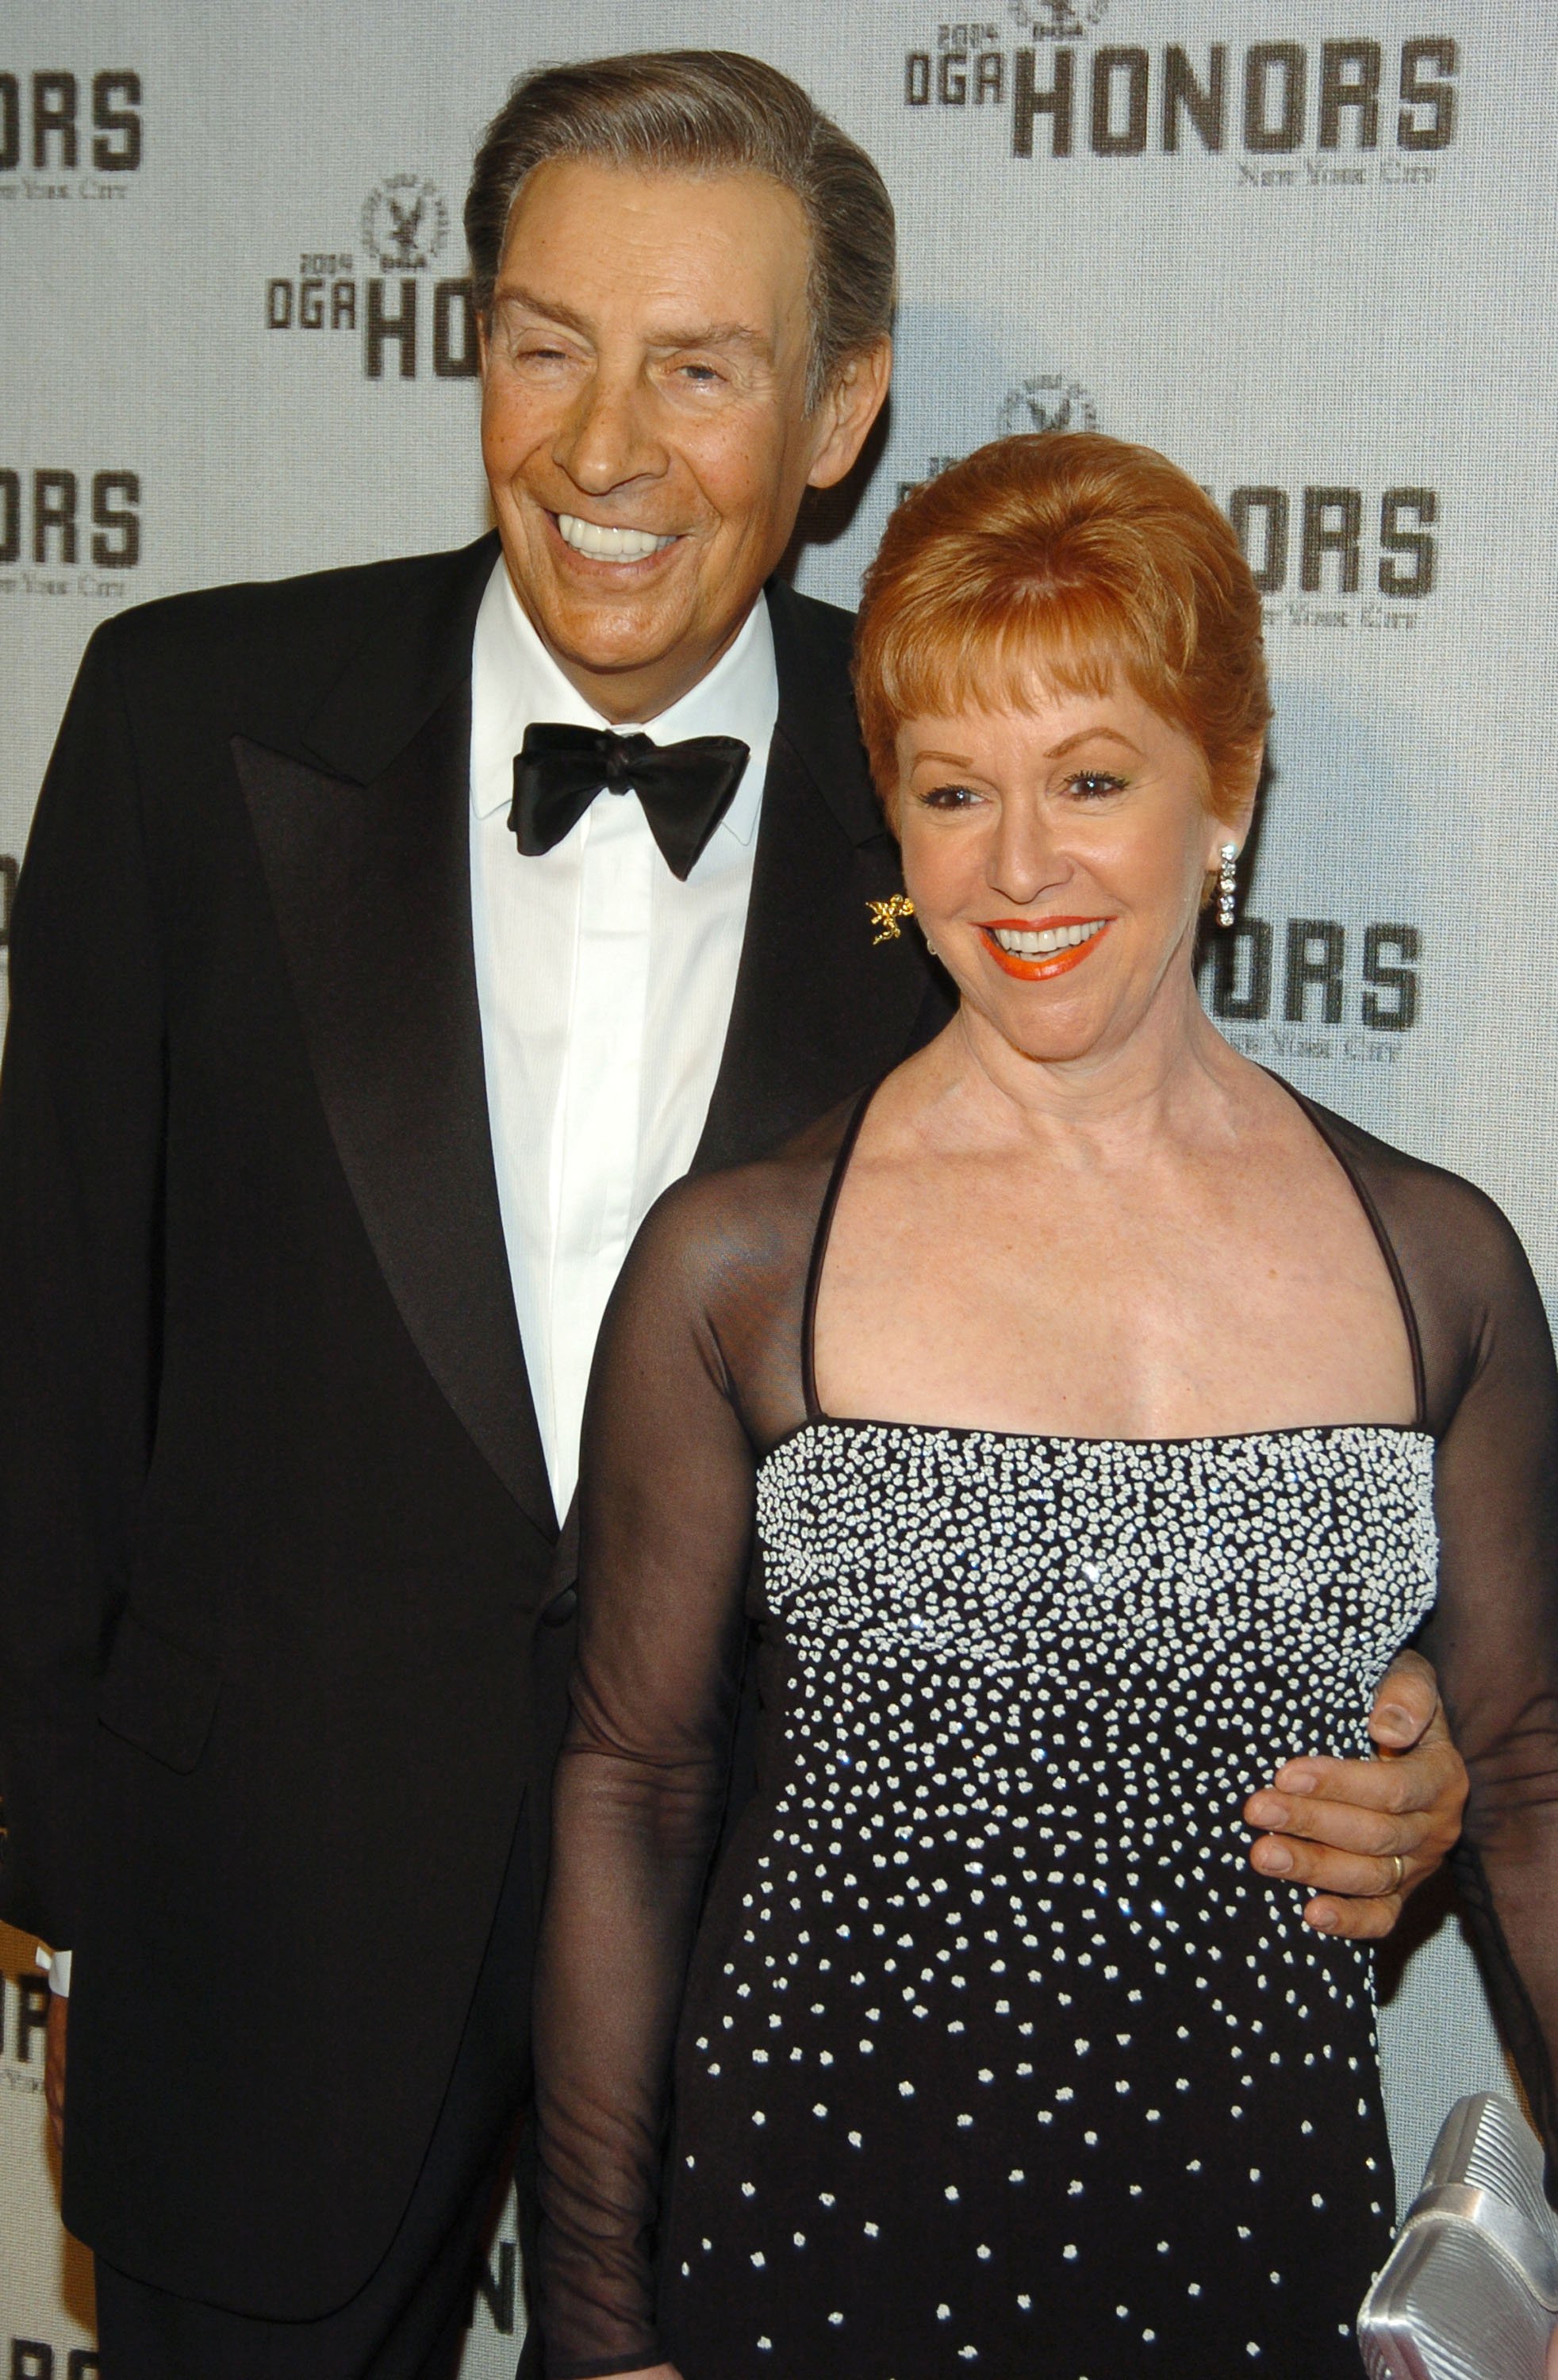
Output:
x=686 y=789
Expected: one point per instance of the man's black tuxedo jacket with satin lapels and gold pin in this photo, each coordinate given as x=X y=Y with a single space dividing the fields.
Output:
x=282 y=1591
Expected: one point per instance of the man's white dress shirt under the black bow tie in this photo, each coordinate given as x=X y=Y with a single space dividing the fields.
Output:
x=605 y=991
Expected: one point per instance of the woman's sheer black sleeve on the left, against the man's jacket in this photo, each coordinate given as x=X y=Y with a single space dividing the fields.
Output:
x=710 y=1298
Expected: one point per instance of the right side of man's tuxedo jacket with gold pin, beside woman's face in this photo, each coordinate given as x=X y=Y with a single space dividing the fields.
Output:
x=819 y=1006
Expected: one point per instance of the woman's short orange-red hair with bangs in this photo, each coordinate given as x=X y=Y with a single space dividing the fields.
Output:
x=1064 y=563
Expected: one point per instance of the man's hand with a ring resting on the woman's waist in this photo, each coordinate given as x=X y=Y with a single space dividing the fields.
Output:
x=1367 y=1834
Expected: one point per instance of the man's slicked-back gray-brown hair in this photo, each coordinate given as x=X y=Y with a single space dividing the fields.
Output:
x=703 y=113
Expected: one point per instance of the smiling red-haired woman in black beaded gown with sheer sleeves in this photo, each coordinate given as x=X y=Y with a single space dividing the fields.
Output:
x=1083 y=1420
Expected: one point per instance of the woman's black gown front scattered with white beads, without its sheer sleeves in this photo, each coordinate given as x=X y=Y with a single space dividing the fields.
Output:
x=988 y=1998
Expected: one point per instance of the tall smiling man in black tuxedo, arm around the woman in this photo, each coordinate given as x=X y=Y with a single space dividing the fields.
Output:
x=353 y=1032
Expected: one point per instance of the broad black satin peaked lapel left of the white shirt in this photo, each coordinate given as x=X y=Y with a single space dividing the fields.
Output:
x=372 y=894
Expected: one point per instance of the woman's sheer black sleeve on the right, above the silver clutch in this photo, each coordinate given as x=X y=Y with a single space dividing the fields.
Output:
x=1493 y=1403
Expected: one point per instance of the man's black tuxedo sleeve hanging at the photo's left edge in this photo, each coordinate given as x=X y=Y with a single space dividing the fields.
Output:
x=82 y=1129
